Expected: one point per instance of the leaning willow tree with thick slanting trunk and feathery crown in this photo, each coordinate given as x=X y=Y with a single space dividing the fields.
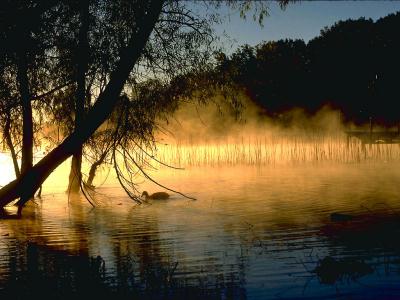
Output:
x=128 y=42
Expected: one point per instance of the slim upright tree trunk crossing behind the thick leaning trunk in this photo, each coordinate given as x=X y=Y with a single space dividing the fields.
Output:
x=75 y=175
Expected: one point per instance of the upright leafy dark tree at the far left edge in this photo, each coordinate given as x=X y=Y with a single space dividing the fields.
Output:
x=24 y=67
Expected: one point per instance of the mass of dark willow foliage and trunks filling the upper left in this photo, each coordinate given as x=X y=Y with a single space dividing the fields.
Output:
x=122 y=55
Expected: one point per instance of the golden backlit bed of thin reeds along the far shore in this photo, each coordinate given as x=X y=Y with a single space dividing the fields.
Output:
x=275 y=150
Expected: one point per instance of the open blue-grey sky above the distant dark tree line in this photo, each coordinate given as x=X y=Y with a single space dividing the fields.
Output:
x=300 y=20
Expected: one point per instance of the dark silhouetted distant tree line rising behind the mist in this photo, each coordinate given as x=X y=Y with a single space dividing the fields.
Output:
x=352 y=66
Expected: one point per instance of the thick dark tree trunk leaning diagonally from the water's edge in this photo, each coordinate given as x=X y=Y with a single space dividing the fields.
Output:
x=101 y=110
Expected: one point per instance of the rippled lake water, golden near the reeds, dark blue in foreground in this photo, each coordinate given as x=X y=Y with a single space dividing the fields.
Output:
x=252 y=234
